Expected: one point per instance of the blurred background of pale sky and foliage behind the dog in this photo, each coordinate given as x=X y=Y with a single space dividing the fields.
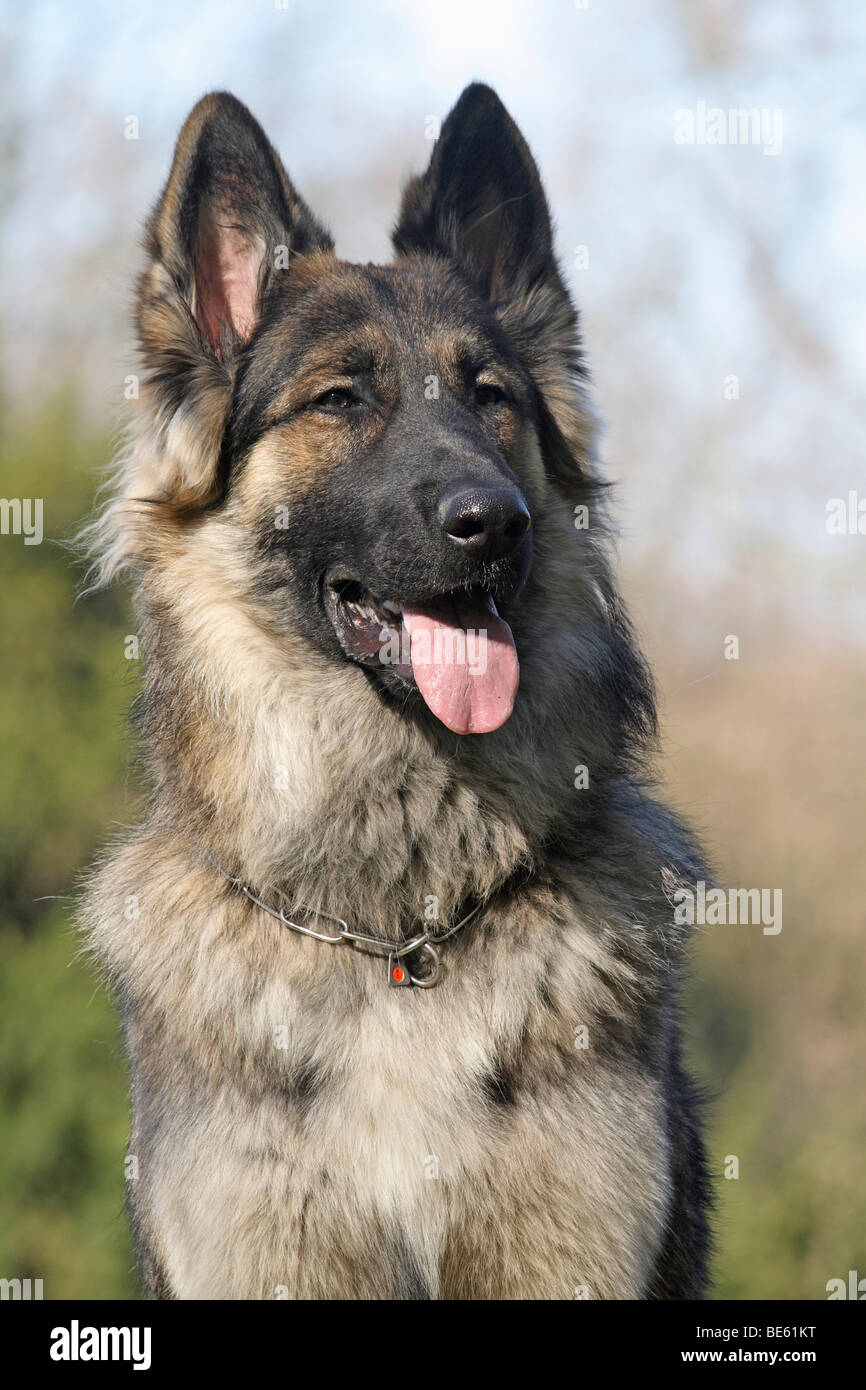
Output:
x=722 y=298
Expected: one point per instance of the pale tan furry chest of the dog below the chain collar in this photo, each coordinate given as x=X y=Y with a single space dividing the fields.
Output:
x=397 y=1134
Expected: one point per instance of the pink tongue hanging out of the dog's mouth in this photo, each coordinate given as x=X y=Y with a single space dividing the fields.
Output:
x=465 y=664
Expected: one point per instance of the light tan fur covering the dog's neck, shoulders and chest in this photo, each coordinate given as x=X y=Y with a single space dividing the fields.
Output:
x=373 y=822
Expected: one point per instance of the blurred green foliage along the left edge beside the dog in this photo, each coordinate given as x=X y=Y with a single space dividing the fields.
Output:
x=63 y=697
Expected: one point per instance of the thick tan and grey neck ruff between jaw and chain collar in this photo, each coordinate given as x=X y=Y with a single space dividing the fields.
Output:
x=300 y=778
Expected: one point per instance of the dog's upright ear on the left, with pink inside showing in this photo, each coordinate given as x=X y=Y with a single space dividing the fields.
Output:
x=227 y=223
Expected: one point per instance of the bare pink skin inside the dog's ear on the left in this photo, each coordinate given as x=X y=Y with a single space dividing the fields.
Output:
x=229 y=262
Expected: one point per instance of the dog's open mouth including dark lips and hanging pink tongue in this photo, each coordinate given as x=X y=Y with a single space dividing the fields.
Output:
x=454 y=647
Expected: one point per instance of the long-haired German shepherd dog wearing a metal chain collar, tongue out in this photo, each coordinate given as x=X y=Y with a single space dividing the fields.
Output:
x=395 y=946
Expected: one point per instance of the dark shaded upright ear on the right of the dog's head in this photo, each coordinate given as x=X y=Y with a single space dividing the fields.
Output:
x=482 y=205
